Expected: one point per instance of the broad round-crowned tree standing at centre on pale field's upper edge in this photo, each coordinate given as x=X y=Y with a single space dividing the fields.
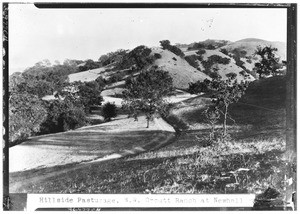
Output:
x=145 y=93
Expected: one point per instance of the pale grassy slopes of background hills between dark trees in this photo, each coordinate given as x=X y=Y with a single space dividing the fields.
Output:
x=182 y=72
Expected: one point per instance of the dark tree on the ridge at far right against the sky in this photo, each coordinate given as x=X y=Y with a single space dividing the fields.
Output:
x=269 y=62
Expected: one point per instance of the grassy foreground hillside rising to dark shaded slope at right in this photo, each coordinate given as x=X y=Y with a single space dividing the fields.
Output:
x=251 y=162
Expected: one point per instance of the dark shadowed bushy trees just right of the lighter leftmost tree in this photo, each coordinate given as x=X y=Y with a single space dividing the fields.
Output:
x=62 y=116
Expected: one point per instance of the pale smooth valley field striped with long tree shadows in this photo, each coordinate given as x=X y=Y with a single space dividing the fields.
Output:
x=87 y=143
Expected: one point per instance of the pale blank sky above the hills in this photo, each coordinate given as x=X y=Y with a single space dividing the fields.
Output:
x=59 y=34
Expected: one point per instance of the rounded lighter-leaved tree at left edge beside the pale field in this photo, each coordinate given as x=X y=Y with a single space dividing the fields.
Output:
x=26 y=114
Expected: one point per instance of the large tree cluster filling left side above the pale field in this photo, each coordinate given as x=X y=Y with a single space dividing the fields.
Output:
x=30 y=114
